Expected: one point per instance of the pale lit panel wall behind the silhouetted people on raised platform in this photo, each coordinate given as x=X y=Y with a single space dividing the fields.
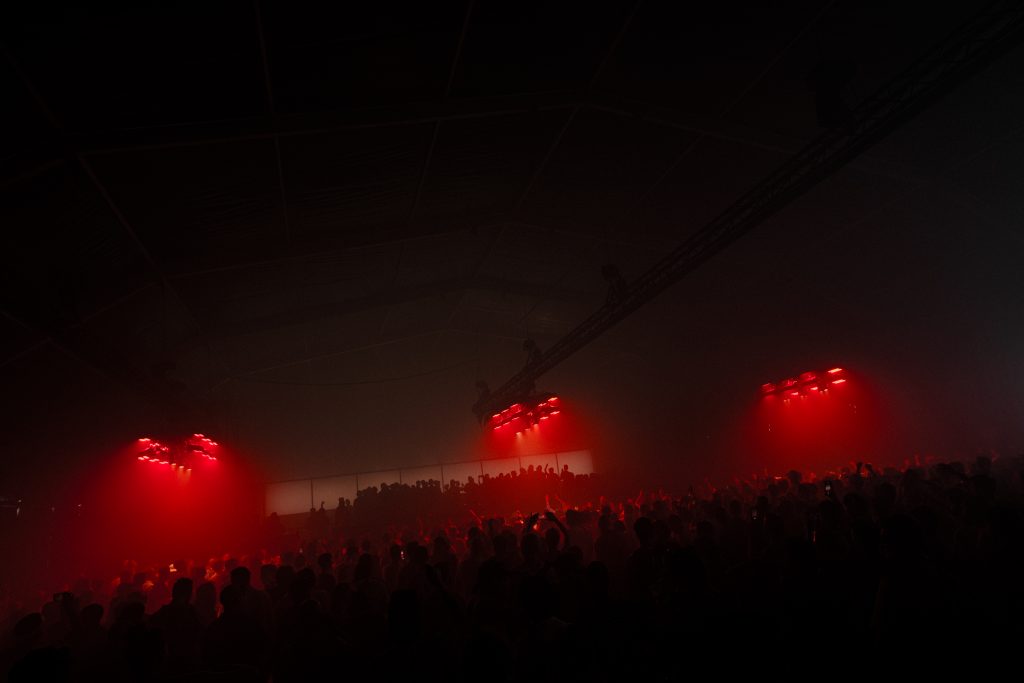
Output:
x=289 y=498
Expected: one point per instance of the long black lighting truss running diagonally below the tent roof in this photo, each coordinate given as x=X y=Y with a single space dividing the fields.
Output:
x=973 y=47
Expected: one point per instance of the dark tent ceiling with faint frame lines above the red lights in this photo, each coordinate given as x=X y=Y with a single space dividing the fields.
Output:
x=214 y=198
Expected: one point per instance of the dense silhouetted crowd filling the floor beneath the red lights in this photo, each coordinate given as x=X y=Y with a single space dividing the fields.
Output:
x=773 y=576
